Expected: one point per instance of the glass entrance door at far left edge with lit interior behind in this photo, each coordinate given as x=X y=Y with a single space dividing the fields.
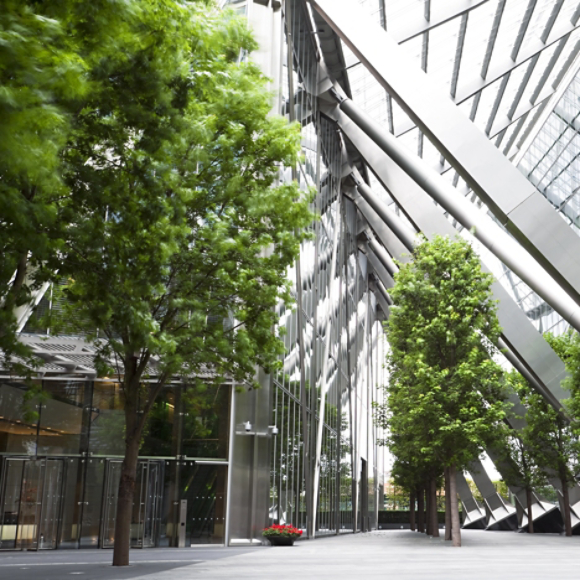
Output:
x=30 y=503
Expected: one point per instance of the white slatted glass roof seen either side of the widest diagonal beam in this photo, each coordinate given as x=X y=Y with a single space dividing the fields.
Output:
x=499 y=60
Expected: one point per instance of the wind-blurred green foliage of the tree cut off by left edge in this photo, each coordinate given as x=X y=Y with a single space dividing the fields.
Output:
x=41 y=77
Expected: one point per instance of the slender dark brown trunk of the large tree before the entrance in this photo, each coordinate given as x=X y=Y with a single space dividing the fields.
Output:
x=124 y=512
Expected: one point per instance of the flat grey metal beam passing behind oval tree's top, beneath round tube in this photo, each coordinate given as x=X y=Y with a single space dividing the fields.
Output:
x=428 y=218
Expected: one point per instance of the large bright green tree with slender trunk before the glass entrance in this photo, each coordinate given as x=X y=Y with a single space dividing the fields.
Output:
x=174 y=235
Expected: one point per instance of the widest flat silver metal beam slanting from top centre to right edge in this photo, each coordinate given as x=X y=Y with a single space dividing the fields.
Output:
x=491 y=175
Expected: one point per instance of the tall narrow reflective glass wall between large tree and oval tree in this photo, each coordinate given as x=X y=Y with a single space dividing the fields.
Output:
x=329 y=341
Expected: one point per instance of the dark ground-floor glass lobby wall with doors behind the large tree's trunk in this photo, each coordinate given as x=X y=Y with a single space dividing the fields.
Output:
x=60 y=457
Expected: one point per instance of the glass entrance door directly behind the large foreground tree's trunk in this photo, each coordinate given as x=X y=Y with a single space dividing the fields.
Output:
x=146 y=504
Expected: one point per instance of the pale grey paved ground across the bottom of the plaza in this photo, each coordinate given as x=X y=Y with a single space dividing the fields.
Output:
x=392 y=555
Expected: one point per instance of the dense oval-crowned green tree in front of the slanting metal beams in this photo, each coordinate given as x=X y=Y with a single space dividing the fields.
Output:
x=445 y=396
